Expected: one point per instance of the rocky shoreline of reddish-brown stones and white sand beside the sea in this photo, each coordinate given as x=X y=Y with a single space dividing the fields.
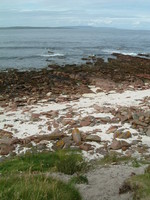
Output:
x=97 y=107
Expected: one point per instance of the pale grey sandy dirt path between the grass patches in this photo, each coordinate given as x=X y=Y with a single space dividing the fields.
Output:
x=104 y=183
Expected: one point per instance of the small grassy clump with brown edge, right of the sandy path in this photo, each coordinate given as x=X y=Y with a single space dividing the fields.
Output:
x=139 y=185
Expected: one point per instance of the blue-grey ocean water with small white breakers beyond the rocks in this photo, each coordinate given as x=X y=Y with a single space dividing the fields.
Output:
x=25 y=48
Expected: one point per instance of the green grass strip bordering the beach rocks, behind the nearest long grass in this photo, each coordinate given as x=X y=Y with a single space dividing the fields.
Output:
x=68 y=162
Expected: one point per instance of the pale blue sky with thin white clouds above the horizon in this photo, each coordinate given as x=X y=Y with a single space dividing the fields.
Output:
x=126 y=14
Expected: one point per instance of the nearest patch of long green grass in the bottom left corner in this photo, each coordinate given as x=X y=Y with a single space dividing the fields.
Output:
x=36 y=187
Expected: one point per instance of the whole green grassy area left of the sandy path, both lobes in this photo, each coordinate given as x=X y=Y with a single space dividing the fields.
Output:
x=24 y=177
